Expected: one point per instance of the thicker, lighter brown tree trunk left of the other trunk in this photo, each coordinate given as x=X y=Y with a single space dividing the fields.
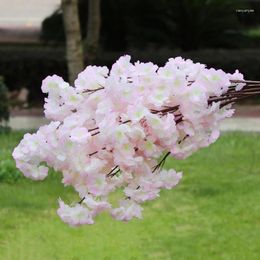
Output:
x=74 y=48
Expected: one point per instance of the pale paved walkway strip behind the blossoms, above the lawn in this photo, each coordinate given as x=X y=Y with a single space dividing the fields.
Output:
x=230 y=124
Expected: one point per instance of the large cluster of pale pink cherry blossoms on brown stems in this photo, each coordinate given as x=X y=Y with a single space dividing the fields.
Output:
x=108 y=131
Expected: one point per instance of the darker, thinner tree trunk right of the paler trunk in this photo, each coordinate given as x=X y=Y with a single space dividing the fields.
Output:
x=93 y=30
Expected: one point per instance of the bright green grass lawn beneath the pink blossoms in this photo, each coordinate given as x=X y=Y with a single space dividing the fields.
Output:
x=213 y=214
